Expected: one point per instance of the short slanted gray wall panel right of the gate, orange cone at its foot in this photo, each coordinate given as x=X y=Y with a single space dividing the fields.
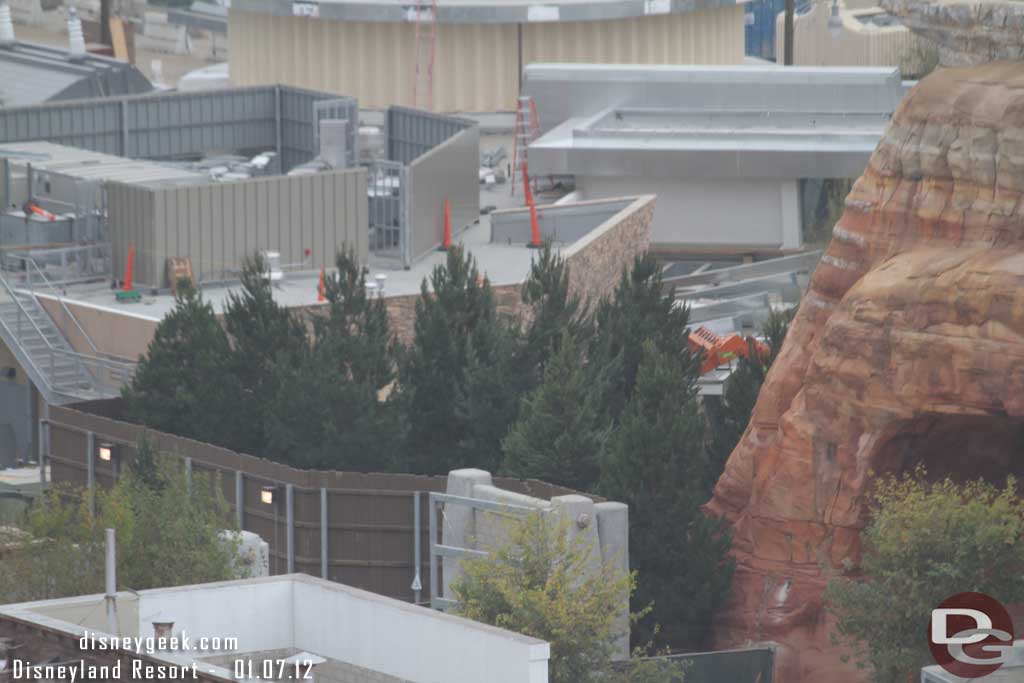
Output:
x=451 y=172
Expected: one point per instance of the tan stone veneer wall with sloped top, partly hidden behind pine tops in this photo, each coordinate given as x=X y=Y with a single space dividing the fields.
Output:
x=596 y=262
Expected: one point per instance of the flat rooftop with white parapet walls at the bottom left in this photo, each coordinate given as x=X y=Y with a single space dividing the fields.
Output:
x=353 y=634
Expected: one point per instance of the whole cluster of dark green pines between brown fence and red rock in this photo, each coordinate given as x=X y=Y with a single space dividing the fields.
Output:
x=602 y=401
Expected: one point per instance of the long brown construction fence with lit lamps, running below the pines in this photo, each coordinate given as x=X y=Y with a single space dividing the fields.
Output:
x=370 y=526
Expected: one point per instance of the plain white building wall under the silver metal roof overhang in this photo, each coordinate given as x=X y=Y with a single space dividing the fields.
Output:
x=712 y=214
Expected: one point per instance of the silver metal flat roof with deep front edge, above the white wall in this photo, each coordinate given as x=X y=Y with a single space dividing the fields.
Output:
x=726 y=144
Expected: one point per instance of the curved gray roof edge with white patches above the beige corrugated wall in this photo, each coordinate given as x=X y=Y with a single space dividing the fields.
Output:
x=484 y=12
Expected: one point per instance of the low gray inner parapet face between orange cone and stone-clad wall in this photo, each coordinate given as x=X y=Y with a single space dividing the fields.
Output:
x=565 y=224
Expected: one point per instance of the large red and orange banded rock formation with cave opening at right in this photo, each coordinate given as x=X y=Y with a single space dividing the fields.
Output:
x=909 y=346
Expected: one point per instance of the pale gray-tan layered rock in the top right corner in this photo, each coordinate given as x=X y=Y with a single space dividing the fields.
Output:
x=967 y=32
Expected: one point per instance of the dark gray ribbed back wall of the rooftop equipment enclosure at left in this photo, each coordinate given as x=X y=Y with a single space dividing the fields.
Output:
x=181 y=125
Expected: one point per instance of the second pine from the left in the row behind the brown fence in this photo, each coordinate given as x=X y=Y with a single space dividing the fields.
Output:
x=265 y=336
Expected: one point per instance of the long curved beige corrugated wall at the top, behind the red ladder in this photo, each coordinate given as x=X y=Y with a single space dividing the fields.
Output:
x=477 y=66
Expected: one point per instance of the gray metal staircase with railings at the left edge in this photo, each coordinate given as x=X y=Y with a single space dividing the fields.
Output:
x=62 y=374
